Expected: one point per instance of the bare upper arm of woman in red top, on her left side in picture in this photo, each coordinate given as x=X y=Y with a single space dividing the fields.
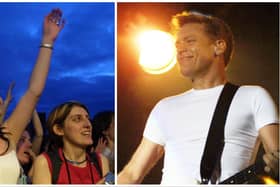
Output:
x=41 y=172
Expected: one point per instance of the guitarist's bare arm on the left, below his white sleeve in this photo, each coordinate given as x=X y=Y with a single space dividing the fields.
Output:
x=145 y=157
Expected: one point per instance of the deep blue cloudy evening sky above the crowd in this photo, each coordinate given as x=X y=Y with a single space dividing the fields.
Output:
x=82 y=65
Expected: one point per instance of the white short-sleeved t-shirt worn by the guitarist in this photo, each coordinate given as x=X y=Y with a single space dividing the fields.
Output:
x=180 y=123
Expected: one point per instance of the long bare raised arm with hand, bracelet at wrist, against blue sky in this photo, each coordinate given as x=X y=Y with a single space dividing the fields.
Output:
x=20 y=117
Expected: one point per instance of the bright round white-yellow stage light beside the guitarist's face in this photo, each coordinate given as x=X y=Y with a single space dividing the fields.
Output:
x=157 y=51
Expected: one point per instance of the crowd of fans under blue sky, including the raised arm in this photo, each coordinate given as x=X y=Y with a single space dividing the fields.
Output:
x=75 y=149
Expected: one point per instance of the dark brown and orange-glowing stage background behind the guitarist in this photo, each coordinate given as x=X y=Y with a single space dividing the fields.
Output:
x=255 y=61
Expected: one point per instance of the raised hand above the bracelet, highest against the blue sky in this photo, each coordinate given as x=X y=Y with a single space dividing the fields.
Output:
x=53 y=24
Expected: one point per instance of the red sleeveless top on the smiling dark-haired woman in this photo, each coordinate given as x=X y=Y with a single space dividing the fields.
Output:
x=78 y=175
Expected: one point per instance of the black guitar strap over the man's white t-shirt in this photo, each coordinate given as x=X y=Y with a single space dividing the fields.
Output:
x=215 y=141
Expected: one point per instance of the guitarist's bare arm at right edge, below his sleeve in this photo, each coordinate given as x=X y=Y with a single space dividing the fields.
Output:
x=269 y=135
